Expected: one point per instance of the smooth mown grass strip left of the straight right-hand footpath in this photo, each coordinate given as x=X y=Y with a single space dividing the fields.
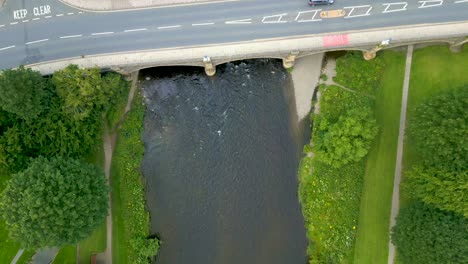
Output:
x=372 y=235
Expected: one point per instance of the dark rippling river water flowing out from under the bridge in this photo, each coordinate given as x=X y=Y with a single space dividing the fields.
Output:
x=220 y=164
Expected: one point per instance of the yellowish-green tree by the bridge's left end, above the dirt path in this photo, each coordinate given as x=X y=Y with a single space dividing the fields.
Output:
x=85 y=93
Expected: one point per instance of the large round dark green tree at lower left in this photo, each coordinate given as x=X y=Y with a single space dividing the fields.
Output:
x=54 y=202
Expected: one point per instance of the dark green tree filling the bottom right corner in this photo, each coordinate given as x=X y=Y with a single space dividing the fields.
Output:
x=424 y=234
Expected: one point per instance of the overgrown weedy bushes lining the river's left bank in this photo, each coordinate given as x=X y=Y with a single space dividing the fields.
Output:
x=127 y=158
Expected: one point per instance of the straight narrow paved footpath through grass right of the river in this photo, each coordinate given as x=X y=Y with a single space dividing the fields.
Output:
x=399 y=158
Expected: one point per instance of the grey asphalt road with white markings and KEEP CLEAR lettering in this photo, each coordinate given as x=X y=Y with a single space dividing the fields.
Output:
x=49 y=30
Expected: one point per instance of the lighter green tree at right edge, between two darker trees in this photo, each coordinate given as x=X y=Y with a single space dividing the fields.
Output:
x=445 y=189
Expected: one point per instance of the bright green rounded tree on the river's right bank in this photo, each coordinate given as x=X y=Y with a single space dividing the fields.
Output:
x=347 y=140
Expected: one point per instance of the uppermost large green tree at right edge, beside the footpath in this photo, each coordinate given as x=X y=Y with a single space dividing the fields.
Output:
x=440 y=128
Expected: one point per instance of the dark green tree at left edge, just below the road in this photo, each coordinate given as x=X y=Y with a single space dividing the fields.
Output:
x=23 y=92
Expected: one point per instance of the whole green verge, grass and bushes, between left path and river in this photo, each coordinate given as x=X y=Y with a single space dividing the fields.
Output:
x=131 y=221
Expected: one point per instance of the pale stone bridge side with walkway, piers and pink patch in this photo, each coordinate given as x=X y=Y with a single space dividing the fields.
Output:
x=287 y=49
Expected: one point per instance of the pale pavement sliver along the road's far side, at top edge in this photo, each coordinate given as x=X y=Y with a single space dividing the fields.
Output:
x=118 y=5
